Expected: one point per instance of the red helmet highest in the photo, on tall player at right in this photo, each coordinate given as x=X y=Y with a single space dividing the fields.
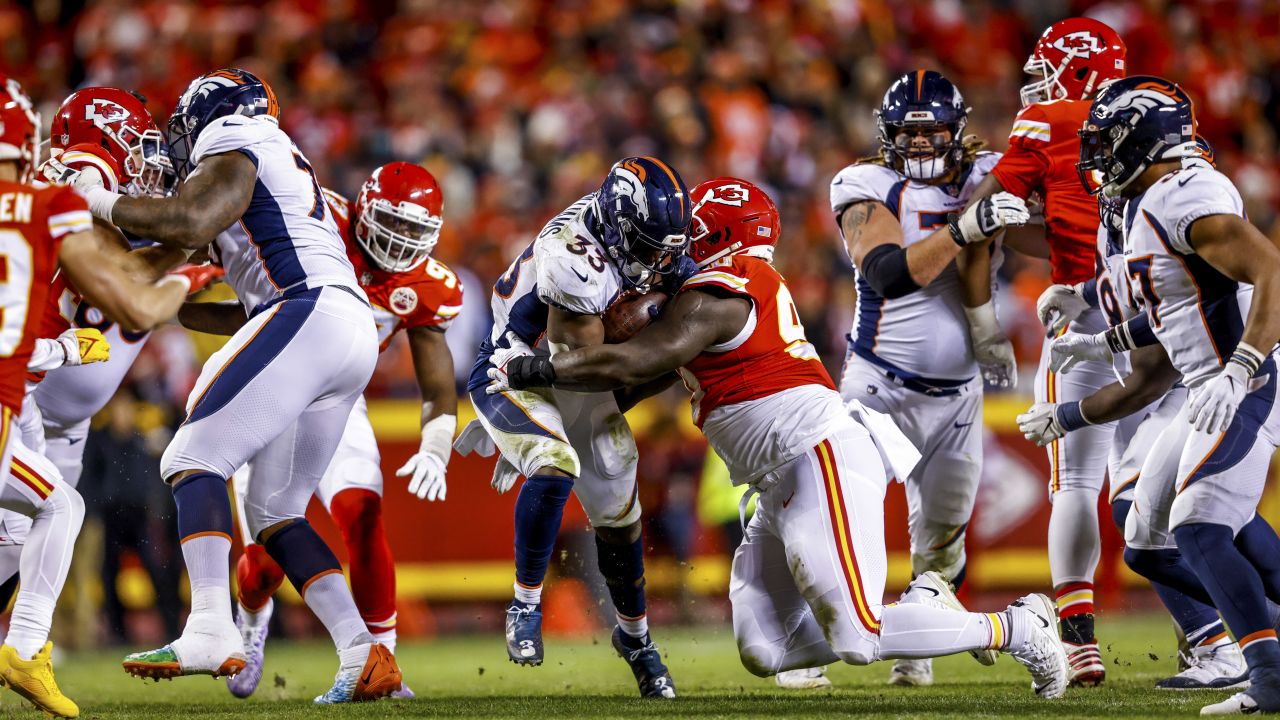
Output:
x=1073 y=60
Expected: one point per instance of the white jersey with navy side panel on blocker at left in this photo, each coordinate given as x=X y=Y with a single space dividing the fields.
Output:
x=287 y=236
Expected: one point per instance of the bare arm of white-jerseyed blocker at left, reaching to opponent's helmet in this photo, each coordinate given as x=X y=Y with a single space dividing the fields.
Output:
x=214 y=195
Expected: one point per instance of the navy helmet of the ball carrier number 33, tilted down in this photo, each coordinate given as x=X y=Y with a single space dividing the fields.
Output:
x=644 y=213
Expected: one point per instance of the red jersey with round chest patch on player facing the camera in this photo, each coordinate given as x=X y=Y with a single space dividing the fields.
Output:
x=428 y=297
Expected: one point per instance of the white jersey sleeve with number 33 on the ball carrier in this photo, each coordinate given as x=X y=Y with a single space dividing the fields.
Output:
x=573 y=282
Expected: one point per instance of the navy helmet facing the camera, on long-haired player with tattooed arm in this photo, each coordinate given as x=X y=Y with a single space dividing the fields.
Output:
x=926 y=102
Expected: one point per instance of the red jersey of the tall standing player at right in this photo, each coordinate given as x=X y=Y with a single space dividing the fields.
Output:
x=1044 y=149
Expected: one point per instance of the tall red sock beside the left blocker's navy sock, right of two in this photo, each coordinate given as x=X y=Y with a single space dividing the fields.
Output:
x=359 y=514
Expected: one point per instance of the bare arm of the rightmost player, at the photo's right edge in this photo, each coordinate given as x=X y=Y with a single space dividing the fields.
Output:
x=1242 y=253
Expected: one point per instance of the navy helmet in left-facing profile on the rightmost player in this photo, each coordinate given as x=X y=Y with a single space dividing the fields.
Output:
x=1133 y=124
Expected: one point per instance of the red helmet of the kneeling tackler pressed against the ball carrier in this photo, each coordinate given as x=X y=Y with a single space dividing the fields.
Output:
x=732 y=216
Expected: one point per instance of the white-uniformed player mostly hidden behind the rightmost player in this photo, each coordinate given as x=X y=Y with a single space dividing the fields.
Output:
x=1142 y=462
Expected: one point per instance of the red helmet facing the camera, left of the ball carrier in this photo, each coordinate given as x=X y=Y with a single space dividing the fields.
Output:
x=399 y=216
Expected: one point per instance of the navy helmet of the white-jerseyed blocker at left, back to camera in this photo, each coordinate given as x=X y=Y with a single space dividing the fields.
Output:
x=230 y=92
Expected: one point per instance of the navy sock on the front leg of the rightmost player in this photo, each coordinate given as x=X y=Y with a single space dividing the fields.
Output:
x=1236 y=587
